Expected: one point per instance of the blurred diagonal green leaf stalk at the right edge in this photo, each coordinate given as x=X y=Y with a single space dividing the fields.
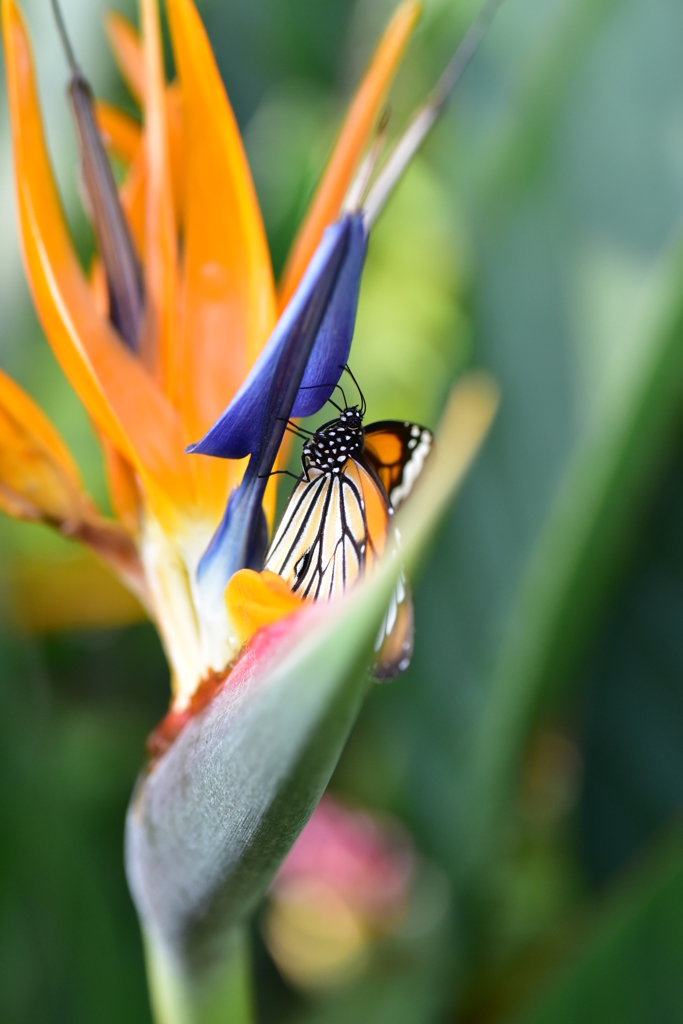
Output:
x=571 y=572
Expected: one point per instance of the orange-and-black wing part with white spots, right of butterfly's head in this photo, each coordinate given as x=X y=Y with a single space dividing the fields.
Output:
x=398 y=452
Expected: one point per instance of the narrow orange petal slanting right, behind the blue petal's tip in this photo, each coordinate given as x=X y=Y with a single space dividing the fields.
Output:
x=354 y=138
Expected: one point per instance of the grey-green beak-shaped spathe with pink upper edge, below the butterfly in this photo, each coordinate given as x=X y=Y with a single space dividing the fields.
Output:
x=212 y=821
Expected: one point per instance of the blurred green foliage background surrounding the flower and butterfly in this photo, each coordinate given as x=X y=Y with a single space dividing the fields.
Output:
x=532 y=758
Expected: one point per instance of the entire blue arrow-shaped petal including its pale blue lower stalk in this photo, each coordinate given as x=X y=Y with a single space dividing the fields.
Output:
x=312 y=342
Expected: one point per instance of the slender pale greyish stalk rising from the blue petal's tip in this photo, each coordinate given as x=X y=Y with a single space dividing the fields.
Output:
x=423 y=121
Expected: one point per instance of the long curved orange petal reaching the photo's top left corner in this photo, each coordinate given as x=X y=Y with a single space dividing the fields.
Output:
x=112 y=385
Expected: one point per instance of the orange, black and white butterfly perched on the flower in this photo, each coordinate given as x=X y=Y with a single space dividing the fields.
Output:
x=338 y=520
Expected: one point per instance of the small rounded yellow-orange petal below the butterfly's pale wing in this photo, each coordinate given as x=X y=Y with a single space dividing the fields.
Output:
x=257 y=600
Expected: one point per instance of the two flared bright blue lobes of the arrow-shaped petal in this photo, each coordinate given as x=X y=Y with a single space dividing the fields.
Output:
x=239 y=431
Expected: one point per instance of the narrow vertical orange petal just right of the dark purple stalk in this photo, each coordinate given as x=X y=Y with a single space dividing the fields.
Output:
x=158 y=344
